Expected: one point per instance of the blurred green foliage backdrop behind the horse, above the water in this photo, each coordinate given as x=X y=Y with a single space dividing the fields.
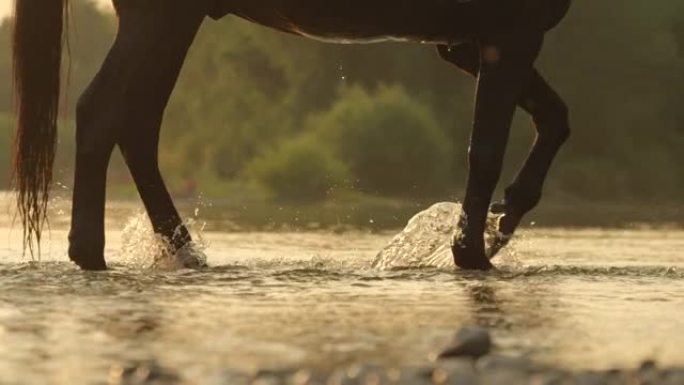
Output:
x=393 y=119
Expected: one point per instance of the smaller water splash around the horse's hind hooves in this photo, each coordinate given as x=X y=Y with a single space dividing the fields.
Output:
x=143 y=248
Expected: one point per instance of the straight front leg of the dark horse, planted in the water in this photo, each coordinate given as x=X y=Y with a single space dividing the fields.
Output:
x=505 y=70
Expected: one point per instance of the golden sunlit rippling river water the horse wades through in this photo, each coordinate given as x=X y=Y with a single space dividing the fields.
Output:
x=587 y=298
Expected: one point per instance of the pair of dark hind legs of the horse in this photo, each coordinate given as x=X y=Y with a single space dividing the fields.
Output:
x=124 y=104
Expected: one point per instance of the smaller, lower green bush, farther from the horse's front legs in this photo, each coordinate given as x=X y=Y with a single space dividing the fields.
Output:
x=299 y=170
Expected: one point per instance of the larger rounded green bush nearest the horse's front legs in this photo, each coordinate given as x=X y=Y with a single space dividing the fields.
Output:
x=392 y=144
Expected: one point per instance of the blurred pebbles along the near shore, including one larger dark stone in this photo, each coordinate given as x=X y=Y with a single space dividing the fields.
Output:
x=469 y=363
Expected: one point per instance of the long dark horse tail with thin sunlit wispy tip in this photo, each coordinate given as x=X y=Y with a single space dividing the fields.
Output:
x=37 y=60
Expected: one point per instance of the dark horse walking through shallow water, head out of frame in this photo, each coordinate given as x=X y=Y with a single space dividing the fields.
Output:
x=496 y=41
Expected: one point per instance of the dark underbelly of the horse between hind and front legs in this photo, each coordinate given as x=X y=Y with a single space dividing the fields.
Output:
x=362 y=21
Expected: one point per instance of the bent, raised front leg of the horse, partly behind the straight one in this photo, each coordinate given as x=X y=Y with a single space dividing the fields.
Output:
x=550 y=115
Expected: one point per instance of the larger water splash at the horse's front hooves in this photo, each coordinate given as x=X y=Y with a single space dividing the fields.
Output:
x=426 y=240
